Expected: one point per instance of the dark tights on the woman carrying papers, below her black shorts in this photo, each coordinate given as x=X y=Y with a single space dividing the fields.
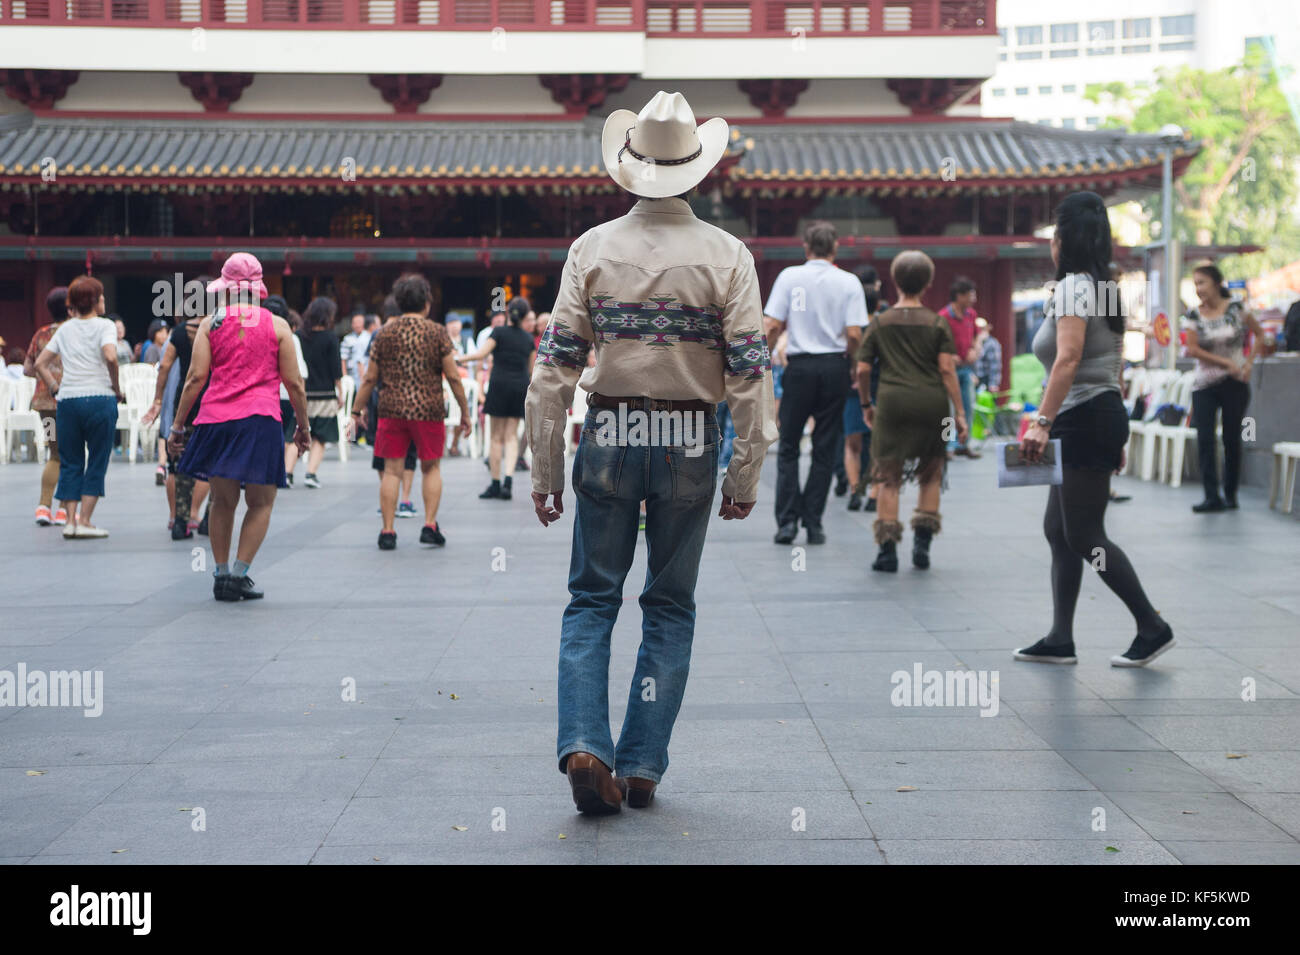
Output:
x=1074 y=527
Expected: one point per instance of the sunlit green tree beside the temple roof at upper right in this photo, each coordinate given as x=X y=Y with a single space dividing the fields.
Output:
x=1242 y=186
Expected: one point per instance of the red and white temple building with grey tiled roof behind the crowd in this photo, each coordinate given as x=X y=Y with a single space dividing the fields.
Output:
x=348 y=141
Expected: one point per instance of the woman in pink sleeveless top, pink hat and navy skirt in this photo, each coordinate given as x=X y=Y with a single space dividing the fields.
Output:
x=242 y=354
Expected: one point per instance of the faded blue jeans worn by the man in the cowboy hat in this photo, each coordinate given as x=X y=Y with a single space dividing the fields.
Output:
x=610 y=481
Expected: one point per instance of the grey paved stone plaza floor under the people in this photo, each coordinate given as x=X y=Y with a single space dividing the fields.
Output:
x=788 y=749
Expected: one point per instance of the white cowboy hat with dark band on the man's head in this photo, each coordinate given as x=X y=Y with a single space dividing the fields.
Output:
x=661 y=151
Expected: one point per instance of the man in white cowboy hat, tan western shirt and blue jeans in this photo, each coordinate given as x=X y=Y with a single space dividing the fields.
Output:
x=673 y=309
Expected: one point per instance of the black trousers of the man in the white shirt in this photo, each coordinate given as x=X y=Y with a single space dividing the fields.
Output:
x=814 y=387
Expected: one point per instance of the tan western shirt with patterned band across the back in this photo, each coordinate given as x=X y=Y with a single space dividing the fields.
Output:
x=673 y=307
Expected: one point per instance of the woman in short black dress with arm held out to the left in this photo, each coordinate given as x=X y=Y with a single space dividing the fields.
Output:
x=513 y=353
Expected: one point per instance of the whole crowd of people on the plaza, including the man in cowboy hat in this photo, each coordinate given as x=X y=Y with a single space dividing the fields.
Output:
x=250 y=388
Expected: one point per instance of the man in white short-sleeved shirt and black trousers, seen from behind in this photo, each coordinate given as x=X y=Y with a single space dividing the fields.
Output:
x=824 y=311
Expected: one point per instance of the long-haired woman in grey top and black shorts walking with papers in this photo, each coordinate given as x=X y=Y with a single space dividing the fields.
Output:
x=1078 y=344
